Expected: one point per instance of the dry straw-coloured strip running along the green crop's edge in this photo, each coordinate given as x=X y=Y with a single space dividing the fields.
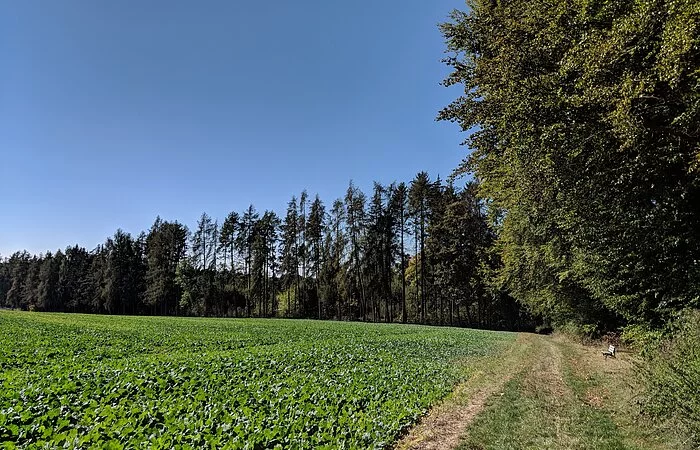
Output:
x=446 y=423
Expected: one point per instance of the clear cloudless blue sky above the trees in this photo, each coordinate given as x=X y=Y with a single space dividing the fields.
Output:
x=114 y=112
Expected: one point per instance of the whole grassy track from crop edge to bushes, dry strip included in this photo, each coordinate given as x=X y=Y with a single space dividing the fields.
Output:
x=545 y=392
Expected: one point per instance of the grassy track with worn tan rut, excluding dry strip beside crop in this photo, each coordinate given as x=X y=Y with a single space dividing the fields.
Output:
x=566 y=396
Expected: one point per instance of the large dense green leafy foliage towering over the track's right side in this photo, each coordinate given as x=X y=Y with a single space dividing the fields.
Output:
x=585 y=140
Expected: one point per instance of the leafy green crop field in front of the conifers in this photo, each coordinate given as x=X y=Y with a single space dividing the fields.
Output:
x=81 y=381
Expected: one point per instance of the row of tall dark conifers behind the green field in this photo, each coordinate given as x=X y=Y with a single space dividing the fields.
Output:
x=418 y=252
